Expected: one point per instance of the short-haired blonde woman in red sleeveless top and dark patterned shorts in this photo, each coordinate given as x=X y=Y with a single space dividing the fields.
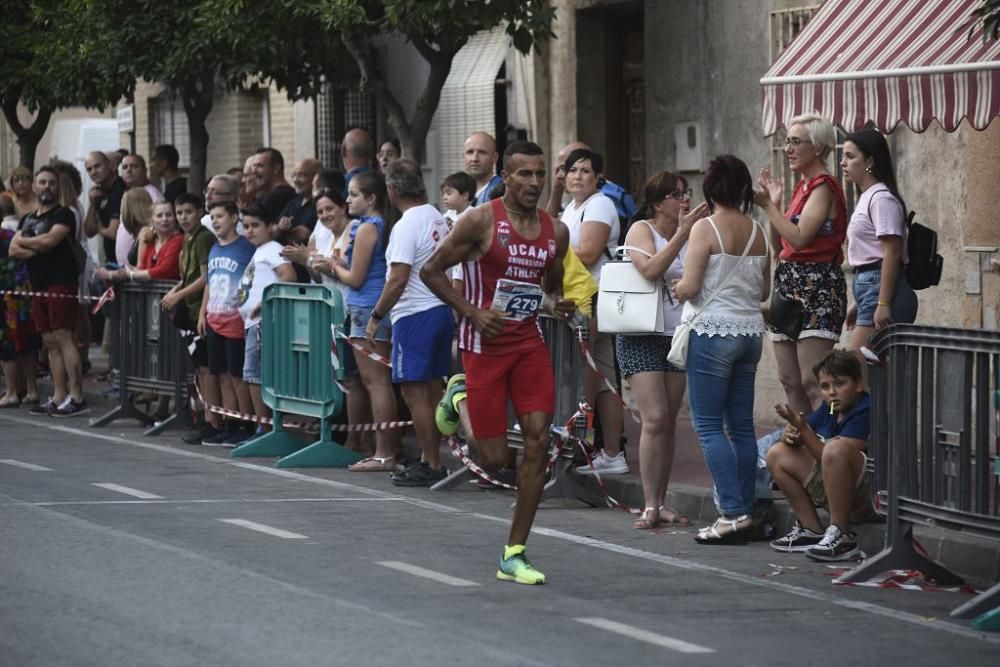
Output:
x=809 y=302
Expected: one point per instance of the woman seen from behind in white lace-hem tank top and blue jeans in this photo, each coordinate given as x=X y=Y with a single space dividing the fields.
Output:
x=728 y=250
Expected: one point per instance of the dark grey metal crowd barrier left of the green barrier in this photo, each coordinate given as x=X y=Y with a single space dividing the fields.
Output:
x=153 y=357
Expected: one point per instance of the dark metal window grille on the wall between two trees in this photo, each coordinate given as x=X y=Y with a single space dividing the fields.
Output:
x=339 y=109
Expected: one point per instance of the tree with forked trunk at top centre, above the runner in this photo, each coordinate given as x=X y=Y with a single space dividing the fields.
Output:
x=437 y=29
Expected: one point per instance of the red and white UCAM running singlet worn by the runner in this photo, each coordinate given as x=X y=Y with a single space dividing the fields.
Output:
x=514 y=259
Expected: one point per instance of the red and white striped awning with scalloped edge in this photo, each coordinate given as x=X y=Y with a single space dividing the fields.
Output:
x=887 y=62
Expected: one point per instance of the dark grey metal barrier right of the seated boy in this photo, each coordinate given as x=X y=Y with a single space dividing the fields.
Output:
x=933 y=403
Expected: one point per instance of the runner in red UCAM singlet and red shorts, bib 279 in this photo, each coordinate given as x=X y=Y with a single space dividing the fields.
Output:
x=512 y=252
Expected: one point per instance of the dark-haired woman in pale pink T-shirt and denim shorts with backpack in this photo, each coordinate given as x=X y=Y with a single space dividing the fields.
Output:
x=876 y=236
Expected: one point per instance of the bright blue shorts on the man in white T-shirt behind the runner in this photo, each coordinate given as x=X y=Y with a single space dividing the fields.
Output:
x=421 y=346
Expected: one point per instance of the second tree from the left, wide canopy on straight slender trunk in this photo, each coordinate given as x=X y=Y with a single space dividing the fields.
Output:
x=198 y=47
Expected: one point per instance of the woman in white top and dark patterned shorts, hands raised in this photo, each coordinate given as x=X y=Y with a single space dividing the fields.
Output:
x=657 y=249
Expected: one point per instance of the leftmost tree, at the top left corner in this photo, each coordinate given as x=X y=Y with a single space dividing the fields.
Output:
x=48 y=64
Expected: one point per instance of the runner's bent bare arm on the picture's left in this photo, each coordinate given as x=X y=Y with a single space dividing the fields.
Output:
x=468 y=240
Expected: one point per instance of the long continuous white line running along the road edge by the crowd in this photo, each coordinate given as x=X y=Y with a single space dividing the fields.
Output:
x=940 y=625
